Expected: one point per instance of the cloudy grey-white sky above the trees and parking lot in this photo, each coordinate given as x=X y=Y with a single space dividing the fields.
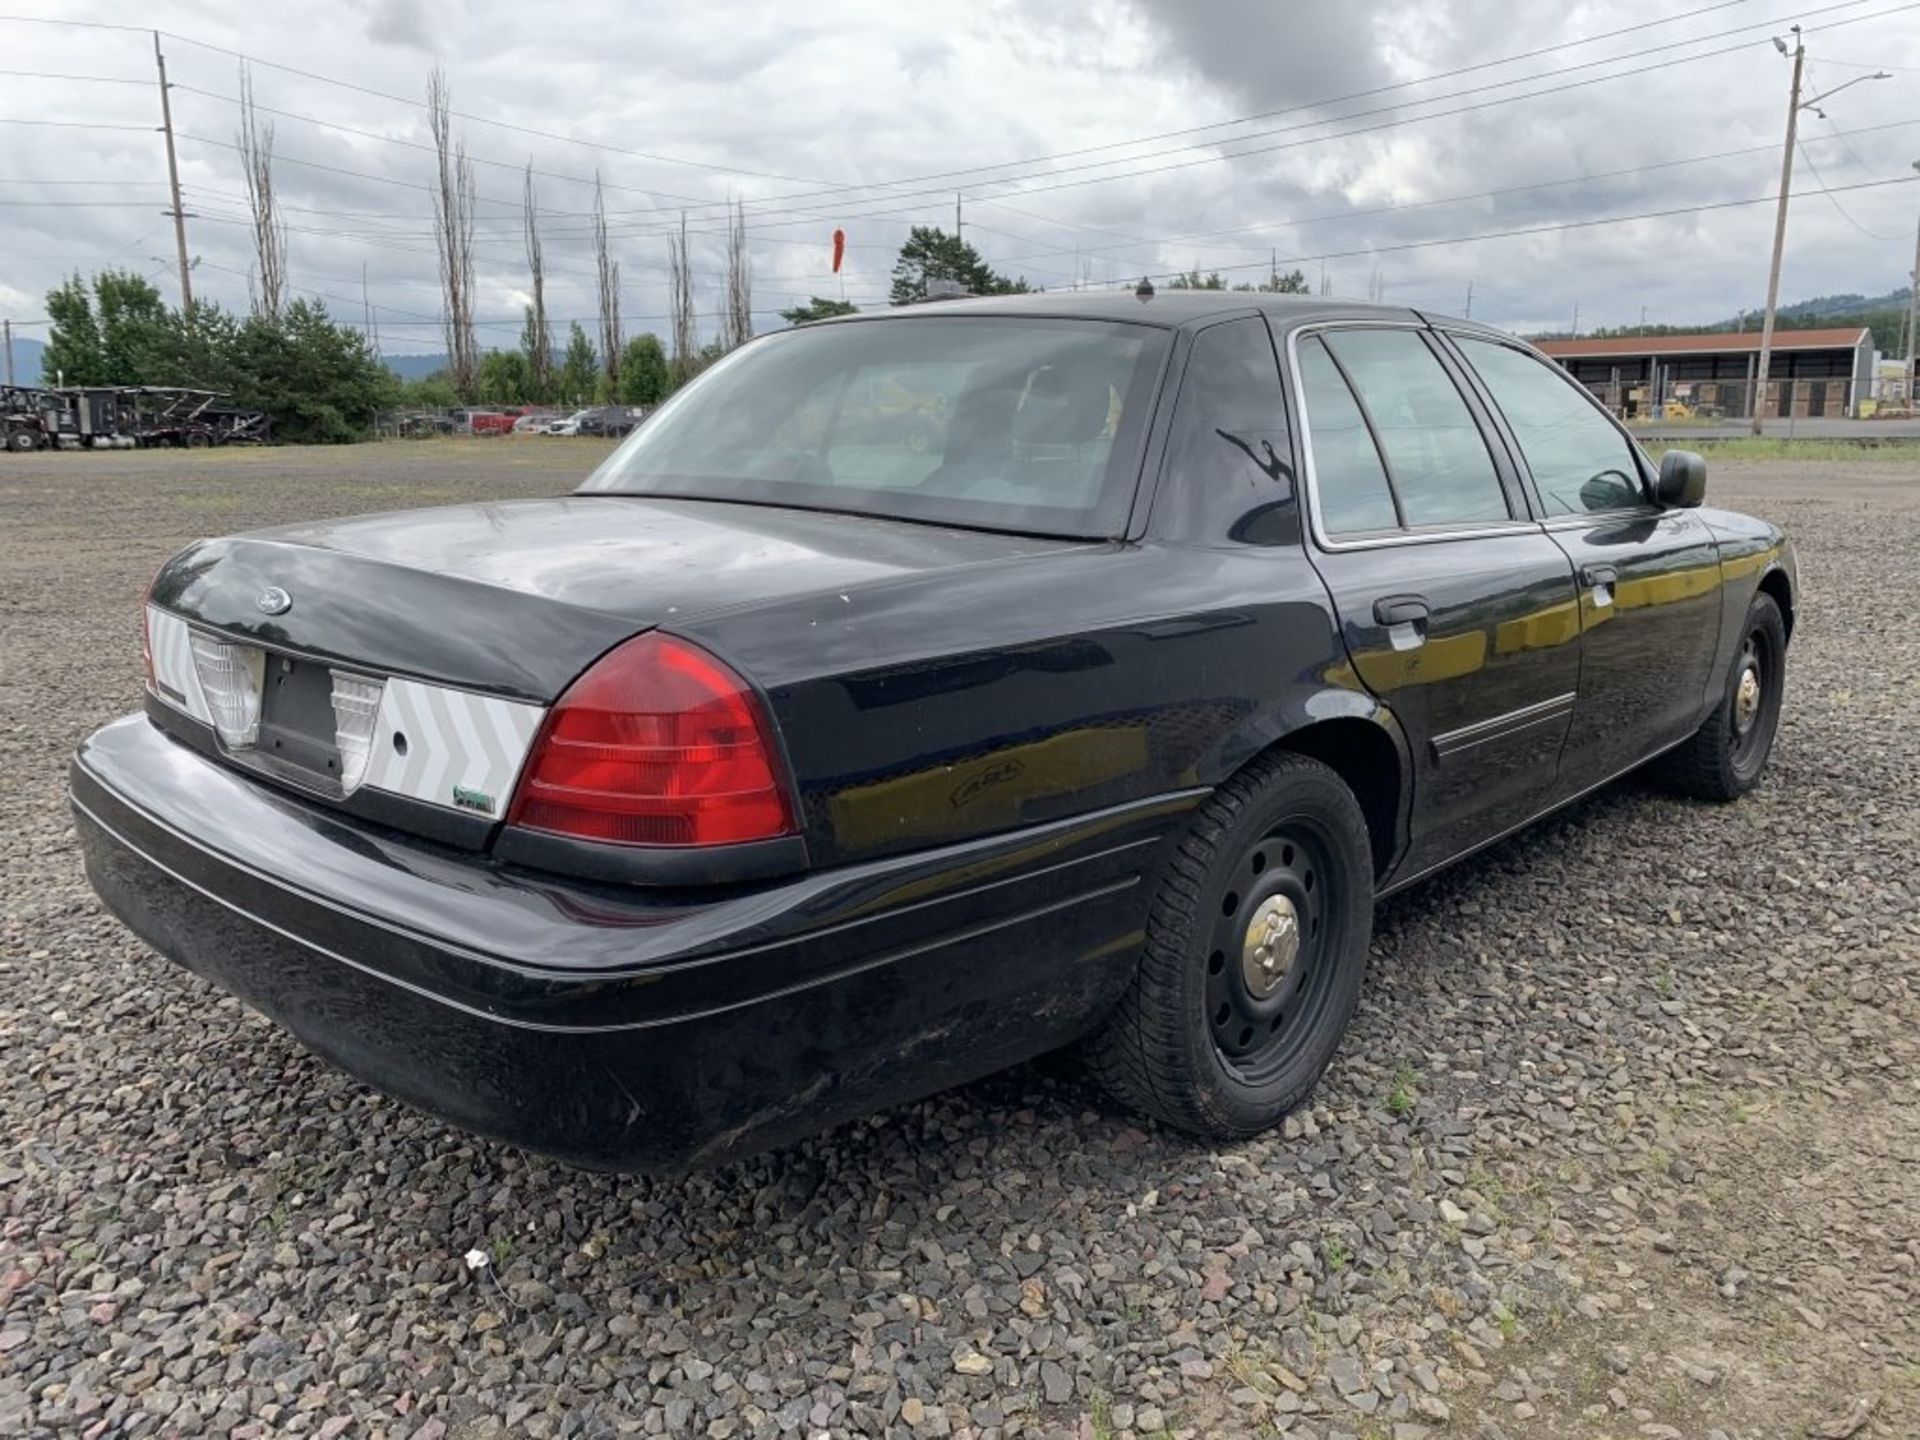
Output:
x=1088 y=143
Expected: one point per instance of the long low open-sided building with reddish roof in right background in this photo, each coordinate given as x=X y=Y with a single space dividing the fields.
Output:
x=1712 y=375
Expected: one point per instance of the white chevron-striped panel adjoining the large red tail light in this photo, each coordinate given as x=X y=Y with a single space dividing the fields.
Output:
x=450 y=748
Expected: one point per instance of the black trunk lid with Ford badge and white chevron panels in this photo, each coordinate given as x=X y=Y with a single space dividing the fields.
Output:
x=412 y=656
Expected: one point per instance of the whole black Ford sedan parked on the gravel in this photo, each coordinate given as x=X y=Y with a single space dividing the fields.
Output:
x=790 y=769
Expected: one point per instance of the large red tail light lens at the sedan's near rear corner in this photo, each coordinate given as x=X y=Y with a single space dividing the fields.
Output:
x=658 y=744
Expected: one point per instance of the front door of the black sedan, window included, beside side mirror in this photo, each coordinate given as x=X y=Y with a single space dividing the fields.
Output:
x=1650 y=579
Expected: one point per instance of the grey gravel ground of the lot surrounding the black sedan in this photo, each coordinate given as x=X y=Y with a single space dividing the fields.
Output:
x=1621 y=1141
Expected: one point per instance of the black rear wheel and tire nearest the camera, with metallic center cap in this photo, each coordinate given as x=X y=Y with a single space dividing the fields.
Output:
x=1257 y=946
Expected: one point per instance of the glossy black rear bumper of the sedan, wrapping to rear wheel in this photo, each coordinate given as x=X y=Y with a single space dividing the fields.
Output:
x=610 y=1026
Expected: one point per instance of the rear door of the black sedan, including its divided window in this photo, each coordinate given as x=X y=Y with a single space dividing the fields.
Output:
x=1458 y=612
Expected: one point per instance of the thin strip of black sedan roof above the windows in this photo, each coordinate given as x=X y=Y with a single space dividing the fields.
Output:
x=1164 y=308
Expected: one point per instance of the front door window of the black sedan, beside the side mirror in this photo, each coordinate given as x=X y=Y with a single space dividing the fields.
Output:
x=1579 y=462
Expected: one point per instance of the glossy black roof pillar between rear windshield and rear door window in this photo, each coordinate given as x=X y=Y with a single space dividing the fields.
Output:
x=1228 y=471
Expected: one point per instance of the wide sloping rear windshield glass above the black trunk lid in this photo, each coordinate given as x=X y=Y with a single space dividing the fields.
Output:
x=997 y=423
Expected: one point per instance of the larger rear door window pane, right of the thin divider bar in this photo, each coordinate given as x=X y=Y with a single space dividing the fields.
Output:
x=1437 y=460
